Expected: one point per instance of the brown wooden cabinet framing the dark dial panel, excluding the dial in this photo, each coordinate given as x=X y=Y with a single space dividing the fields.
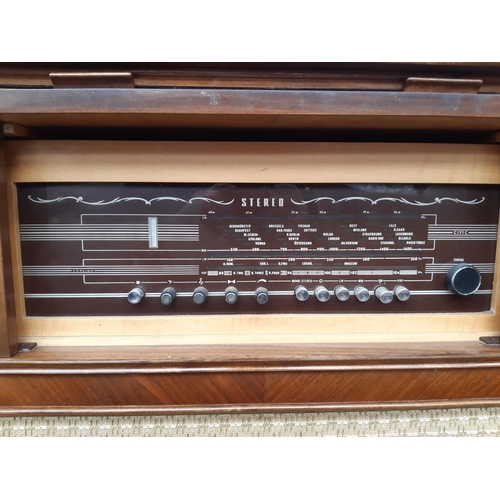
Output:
x=249 y=125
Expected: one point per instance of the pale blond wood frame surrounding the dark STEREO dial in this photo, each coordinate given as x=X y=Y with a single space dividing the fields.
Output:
x=202 y=162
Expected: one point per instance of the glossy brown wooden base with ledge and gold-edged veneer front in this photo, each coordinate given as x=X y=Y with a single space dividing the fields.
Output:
x=249 y=379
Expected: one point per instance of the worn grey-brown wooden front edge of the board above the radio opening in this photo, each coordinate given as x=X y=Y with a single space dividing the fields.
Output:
x=247 y=102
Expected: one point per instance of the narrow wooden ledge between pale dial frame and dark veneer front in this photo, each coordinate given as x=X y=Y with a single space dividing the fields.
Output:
x=398 y=352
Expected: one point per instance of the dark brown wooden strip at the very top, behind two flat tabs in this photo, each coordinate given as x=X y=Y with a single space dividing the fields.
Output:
x=346 y=76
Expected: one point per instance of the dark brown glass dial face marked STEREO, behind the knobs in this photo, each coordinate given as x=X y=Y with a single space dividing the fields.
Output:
x=85 y=247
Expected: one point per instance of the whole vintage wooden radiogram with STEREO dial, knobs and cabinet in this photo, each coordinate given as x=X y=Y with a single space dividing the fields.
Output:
x=249 y=239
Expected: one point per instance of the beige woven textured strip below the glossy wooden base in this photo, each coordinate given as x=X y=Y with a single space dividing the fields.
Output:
x=465 y=422
